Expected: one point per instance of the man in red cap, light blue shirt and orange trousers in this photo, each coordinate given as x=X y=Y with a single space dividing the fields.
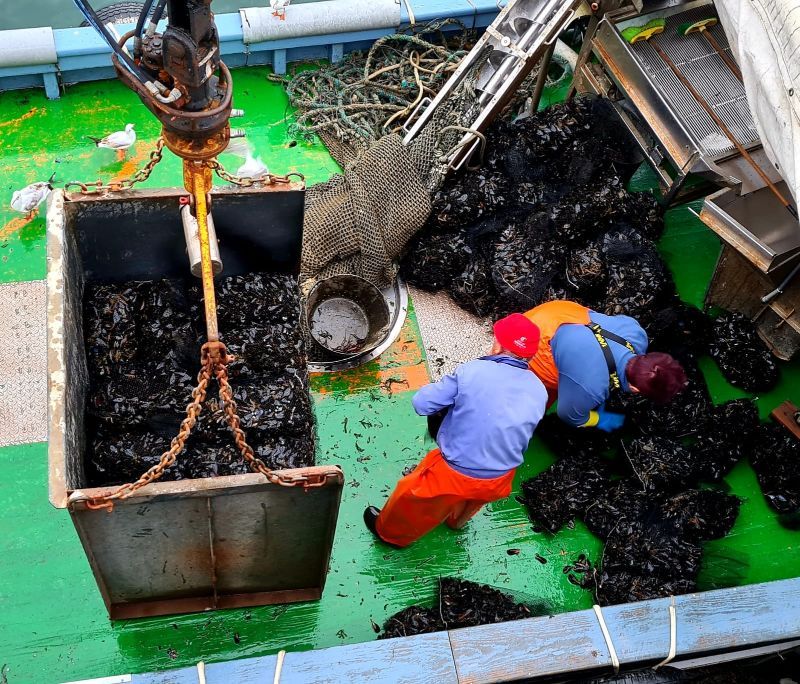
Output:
x=492 y=405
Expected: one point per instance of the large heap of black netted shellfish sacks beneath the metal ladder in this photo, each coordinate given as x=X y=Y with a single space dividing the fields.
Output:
x=551 y=187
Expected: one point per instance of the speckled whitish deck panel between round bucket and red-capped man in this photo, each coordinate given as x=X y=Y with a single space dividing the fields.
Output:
x=450 y=335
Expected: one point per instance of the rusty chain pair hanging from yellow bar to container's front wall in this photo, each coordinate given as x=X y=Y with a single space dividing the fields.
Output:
x=218 y=369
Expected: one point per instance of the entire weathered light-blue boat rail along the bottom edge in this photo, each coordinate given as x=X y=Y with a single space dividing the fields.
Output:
x=711 y=622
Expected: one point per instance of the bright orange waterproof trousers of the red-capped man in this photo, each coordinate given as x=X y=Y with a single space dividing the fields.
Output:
x=432 y=494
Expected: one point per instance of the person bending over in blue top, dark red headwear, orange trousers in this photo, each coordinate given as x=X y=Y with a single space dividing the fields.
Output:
x=584 y=355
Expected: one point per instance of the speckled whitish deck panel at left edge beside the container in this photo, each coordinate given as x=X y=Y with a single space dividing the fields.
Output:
x=23 y=363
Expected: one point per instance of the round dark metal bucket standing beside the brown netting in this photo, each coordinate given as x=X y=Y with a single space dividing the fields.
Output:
x=346 y=315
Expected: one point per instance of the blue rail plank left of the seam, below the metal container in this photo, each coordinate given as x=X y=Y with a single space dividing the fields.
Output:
x=422 y=659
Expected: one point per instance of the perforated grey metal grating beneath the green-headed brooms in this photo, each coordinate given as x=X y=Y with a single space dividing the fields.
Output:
x=699 y=62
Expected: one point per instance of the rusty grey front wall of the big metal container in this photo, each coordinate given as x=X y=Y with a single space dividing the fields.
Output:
x=222 y=542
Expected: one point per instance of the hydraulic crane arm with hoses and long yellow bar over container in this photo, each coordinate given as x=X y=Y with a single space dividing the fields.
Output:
x=181 y=79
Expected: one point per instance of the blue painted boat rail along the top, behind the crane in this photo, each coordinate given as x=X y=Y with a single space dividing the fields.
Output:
x=84 y=56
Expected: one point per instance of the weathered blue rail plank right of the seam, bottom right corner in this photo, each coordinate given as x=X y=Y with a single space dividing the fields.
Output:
x=572 y=642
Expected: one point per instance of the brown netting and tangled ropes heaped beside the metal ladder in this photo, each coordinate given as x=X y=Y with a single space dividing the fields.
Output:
x=360 y=221
